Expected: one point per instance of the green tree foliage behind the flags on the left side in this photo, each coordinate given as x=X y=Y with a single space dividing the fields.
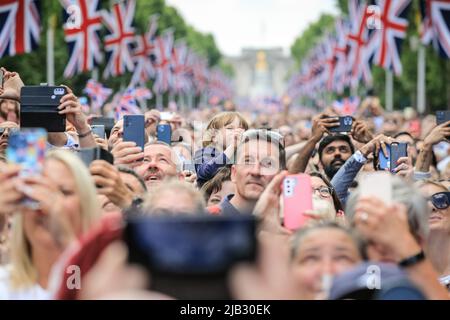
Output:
x=32 y=66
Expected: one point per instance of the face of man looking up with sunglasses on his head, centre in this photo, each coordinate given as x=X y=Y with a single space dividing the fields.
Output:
x=256 y=164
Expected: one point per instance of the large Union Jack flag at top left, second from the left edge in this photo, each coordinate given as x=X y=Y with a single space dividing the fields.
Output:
x=83 y=41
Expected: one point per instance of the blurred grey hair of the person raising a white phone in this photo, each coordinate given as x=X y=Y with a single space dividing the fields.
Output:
x=407 y=194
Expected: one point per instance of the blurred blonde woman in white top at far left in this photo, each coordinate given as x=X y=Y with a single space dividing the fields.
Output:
x=66 y=208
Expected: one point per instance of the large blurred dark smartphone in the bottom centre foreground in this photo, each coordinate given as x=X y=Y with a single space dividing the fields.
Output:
x=189 y=257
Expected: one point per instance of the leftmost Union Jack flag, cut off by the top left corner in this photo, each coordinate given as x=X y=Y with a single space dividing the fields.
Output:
x=20 y=26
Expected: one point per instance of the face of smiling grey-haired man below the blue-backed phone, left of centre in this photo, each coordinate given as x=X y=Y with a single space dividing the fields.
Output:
x=158 y=164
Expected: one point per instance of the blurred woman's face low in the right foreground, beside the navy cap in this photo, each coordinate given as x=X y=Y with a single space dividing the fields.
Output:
x=323 y=252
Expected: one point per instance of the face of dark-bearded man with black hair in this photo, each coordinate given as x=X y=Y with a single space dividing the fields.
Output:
x=334 y=156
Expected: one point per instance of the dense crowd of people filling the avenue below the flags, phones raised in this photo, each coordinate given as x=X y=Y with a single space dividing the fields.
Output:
x=227 y=162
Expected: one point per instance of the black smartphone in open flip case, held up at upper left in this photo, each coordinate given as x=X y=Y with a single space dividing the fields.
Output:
x=39 y=108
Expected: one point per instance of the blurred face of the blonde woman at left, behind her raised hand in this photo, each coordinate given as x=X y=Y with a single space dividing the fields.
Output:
x=36 y=224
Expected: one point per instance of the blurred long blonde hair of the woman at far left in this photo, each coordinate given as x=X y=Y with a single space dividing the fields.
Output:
x=23 y=272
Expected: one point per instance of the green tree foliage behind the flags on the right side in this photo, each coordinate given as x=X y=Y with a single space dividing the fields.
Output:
x=405 y=86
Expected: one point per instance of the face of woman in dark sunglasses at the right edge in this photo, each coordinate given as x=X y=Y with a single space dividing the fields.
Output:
x=439 y=219
